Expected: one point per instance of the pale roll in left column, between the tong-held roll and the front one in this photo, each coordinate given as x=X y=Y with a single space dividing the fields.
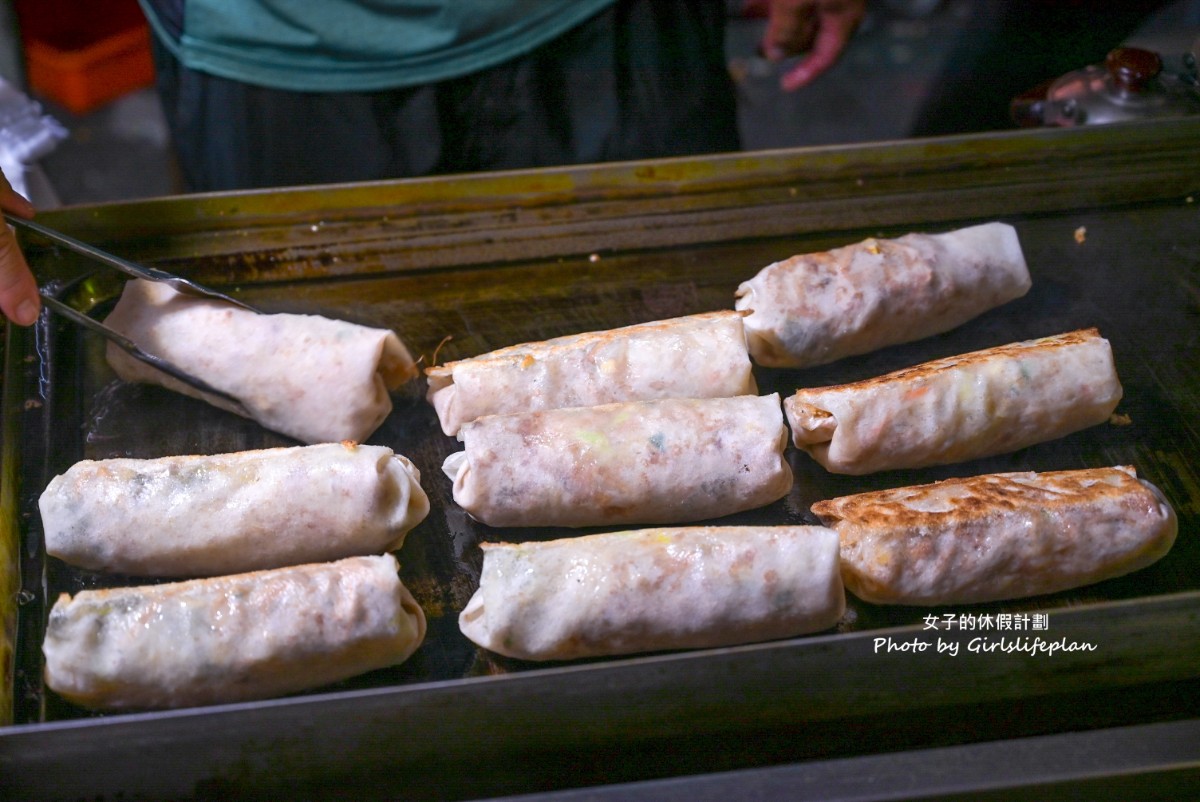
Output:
x=231 y=513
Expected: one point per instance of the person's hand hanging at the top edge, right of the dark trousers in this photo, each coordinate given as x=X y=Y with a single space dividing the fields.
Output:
x=819 y=29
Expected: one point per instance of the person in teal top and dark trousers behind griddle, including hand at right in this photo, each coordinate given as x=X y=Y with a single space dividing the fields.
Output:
x=275 y=93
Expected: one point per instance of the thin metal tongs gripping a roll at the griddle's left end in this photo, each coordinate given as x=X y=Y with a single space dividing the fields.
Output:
x=181 y=285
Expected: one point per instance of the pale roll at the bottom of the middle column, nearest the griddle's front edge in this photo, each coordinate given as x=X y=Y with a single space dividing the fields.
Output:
x=653 y=590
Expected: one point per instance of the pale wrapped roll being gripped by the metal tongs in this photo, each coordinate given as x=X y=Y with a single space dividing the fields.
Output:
x=305 y=376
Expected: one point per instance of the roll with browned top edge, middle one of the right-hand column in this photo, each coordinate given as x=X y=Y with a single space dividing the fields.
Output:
x=958 y=409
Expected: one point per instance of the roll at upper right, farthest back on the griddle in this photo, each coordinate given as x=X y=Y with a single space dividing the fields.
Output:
x=819 y=308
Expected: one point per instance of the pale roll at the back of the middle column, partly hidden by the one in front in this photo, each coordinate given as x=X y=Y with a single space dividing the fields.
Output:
x=697 y=357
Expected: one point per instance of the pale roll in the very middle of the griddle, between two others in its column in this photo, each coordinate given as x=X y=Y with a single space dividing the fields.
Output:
x=668 y=462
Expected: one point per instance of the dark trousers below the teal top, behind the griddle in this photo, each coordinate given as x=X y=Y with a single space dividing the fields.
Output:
x=645 y=79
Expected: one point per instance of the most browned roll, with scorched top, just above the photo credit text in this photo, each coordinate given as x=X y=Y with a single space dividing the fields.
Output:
x=998 y=537
